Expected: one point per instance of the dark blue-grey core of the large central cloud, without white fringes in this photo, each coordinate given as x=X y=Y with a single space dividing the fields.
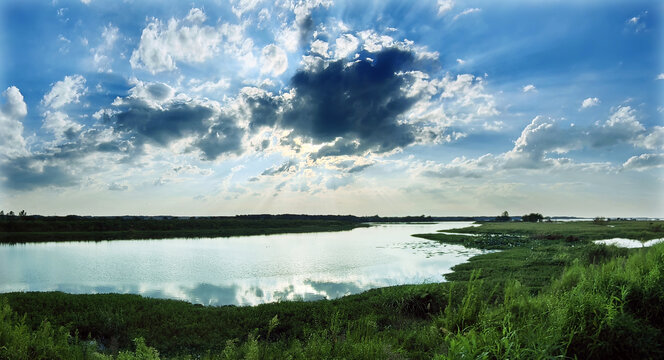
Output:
x=359 y=102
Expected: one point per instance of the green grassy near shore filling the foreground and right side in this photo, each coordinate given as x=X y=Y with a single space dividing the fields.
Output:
x=548 y=292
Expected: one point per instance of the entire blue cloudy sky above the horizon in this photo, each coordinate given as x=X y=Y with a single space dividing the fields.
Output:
x=437 y=107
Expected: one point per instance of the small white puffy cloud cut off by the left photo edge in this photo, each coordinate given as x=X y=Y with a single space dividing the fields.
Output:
x=12 y=111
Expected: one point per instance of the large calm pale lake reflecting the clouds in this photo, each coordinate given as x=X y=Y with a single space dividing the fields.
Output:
x=246 y=270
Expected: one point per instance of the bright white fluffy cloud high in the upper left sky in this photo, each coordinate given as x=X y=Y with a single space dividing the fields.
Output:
x=186 y=40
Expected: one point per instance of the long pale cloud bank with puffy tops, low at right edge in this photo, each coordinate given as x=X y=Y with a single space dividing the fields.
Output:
x=544 y=137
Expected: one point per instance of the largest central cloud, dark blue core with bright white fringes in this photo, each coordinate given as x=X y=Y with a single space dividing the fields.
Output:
x=376 y=104
